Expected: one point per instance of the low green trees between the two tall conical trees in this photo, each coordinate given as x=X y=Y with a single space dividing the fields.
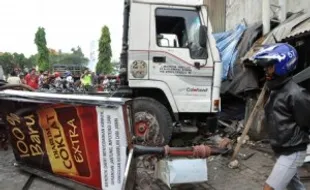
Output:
x=75 y=58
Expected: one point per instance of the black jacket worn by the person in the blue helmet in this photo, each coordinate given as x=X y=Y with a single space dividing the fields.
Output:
x=287 y=114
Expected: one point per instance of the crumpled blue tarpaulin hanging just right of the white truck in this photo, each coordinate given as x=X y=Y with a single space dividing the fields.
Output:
x=227 y=43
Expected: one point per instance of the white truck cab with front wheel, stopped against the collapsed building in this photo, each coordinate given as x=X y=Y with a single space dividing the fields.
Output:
x=170 y=67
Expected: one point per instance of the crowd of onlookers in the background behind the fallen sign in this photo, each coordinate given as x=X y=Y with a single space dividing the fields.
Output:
x=45 y=80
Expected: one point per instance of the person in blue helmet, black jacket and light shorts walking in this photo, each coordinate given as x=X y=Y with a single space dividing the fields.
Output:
x=287 y=115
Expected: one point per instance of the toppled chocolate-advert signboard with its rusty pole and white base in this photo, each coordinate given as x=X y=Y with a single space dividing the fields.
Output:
x=85 y=142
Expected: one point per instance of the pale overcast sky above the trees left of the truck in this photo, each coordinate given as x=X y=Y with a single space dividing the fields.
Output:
x=67 y=23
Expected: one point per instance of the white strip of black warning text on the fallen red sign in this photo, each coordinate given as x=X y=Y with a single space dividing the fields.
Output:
x=113 y=148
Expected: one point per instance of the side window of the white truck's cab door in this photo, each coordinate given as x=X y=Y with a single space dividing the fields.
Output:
x=184 y=24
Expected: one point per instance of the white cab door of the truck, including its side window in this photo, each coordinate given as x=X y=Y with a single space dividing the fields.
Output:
x=177 y=59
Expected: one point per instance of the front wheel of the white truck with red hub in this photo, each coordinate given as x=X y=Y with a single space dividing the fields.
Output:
x=152 y=122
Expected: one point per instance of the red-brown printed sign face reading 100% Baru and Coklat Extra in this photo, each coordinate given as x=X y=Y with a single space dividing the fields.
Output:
x=84 y=143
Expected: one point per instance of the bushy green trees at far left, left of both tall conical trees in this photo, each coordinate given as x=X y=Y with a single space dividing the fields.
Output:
x=10 y=61
